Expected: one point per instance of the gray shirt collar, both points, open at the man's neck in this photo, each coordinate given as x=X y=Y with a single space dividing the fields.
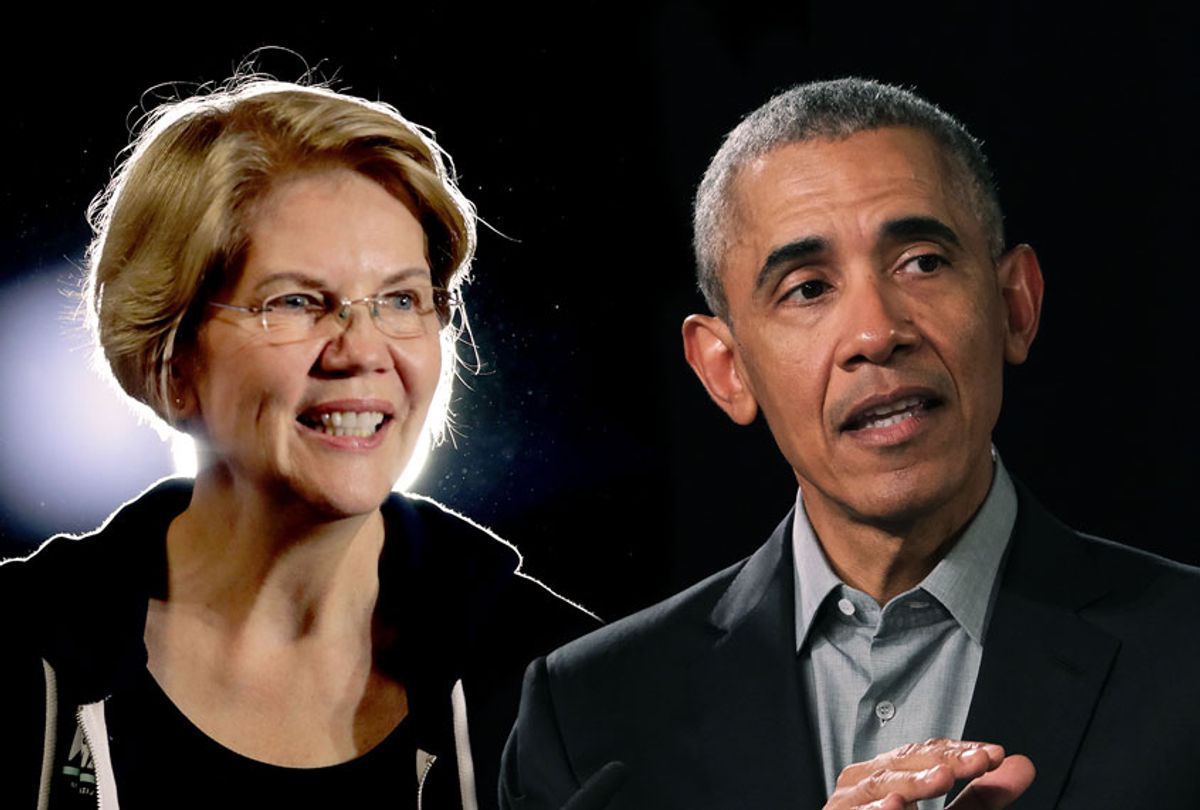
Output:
x=964 y=581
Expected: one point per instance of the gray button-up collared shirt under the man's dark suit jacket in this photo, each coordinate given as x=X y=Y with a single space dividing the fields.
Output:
x=877 y=679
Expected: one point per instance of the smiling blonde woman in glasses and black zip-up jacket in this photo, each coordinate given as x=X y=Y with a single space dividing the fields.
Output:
x=277 y=271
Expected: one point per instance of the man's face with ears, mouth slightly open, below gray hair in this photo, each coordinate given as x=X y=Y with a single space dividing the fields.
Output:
x=869 y=325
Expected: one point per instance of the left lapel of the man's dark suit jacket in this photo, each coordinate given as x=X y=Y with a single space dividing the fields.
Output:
x=760 y=721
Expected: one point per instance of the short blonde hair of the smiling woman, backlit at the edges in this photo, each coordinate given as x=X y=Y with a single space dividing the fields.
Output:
x=171 y=229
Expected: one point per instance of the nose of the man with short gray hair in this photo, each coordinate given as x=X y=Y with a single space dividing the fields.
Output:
x=878 y=325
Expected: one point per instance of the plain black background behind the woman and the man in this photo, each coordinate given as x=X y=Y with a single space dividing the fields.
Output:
x=581 y=134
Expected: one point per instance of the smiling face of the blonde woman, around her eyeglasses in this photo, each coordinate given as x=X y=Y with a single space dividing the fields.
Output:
x=268 y=410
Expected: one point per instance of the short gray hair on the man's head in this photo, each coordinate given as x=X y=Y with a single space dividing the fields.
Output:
x=830 y=111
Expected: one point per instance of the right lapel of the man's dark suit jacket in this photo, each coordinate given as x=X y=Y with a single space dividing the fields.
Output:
x=1043 y=667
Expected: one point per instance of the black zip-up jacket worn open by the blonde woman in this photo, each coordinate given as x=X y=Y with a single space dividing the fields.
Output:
x=75 y=620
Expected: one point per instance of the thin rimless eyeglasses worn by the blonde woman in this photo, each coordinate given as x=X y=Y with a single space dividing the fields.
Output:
x=295 y=317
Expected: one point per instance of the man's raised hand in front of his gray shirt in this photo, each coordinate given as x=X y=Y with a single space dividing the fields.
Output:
x=923 y=771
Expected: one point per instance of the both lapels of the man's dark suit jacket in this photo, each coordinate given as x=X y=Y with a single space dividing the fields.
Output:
x=1042 y=671
